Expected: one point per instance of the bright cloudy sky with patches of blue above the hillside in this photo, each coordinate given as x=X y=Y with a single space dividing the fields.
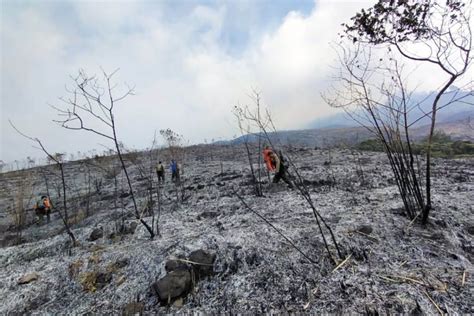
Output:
x=190 y=61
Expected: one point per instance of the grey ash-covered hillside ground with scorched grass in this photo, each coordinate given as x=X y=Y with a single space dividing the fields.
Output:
x=394 y=265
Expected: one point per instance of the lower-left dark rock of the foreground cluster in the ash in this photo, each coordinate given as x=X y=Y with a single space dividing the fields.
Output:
x=174 y=285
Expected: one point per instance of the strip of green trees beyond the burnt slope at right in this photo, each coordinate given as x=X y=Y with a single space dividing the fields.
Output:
x=443 y=146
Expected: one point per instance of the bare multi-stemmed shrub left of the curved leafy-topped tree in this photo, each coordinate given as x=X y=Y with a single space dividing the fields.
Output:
x=374 y=94
